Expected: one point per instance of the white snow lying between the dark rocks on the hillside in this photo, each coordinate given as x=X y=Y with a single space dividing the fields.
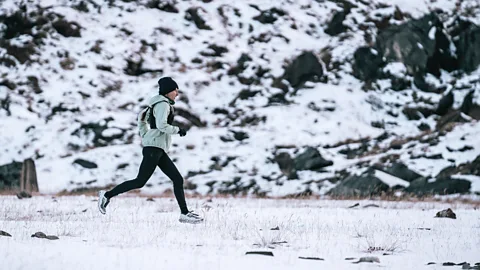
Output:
x=113 y=33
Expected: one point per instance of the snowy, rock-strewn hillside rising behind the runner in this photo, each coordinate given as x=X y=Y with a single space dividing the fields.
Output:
x=341 y=97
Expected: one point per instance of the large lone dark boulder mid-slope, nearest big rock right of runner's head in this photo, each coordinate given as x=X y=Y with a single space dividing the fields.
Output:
x=305 y=67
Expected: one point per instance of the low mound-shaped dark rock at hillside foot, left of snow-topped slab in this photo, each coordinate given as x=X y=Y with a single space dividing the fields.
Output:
x=364 y=185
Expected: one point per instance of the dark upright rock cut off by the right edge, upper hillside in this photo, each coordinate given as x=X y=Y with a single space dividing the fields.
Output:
x=467 y=45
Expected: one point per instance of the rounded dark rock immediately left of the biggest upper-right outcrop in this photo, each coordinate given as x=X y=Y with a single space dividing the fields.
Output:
x=366 y=64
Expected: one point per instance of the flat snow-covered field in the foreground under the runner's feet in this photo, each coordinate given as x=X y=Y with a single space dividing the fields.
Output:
x=141 y=234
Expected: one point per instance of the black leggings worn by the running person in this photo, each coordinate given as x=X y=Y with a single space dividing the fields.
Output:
x=153 y=157
